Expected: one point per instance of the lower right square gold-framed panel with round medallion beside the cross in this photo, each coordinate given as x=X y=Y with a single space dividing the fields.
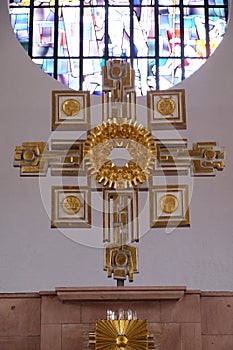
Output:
x=169 y=206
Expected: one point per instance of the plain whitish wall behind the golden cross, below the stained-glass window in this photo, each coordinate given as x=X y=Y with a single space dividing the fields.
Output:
x=34 y=257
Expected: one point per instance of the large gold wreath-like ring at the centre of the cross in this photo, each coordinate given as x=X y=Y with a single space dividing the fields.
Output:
x=135 y=138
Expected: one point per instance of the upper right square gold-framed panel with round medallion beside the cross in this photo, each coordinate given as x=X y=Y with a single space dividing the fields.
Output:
x=166 y=109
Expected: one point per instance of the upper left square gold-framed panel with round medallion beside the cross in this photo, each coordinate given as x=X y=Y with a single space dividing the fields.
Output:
x=70 y=110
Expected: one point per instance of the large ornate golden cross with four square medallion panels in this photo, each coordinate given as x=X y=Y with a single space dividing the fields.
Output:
x=121 y=184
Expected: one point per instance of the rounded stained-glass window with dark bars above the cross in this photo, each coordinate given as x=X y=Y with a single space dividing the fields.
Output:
x=165 y=40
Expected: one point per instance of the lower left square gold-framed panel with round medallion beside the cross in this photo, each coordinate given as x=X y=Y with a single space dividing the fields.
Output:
x=71 y=207
